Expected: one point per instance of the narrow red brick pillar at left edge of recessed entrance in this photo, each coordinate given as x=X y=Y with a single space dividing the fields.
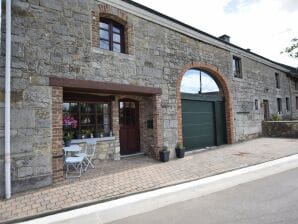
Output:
x=57 y=133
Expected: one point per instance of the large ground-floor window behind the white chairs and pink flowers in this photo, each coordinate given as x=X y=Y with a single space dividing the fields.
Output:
x=93 y=118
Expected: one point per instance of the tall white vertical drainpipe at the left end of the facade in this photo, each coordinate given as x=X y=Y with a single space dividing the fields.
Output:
x=7 y=100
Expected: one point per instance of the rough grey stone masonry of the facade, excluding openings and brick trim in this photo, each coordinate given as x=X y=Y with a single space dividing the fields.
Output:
x=54 y=38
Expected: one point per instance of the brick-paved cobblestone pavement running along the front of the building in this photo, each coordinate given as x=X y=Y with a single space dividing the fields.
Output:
x=113 y=179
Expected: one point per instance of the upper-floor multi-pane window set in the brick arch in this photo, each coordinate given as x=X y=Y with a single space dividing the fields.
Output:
x=111 y=36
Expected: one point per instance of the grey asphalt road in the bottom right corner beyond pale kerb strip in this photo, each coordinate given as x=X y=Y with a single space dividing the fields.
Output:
x=271 y=200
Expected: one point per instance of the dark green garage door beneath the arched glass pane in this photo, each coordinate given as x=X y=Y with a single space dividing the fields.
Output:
x=203 y=121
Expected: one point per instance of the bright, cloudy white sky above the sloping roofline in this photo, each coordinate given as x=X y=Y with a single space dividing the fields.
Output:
x=264 y=26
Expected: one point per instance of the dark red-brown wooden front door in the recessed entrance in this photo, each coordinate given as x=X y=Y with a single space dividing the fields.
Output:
x=129 y=127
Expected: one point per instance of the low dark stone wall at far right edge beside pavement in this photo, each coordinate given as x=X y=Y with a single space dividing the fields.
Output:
x=285 y=129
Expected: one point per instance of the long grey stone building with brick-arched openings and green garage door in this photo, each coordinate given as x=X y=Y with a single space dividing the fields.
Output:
x=117 y=67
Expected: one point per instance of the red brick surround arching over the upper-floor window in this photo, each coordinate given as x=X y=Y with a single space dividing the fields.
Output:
x=108 y=12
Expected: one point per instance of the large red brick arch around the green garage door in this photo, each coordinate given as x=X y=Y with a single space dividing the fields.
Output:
x=221 y=80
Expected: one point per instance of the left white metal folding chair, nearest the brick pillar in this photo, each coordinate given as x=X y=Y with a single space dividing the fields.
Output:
x=73 y=164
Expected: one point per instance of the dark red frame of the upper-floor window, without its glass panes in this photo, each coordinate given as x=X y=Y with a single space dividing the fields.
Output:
x=112 y=24
